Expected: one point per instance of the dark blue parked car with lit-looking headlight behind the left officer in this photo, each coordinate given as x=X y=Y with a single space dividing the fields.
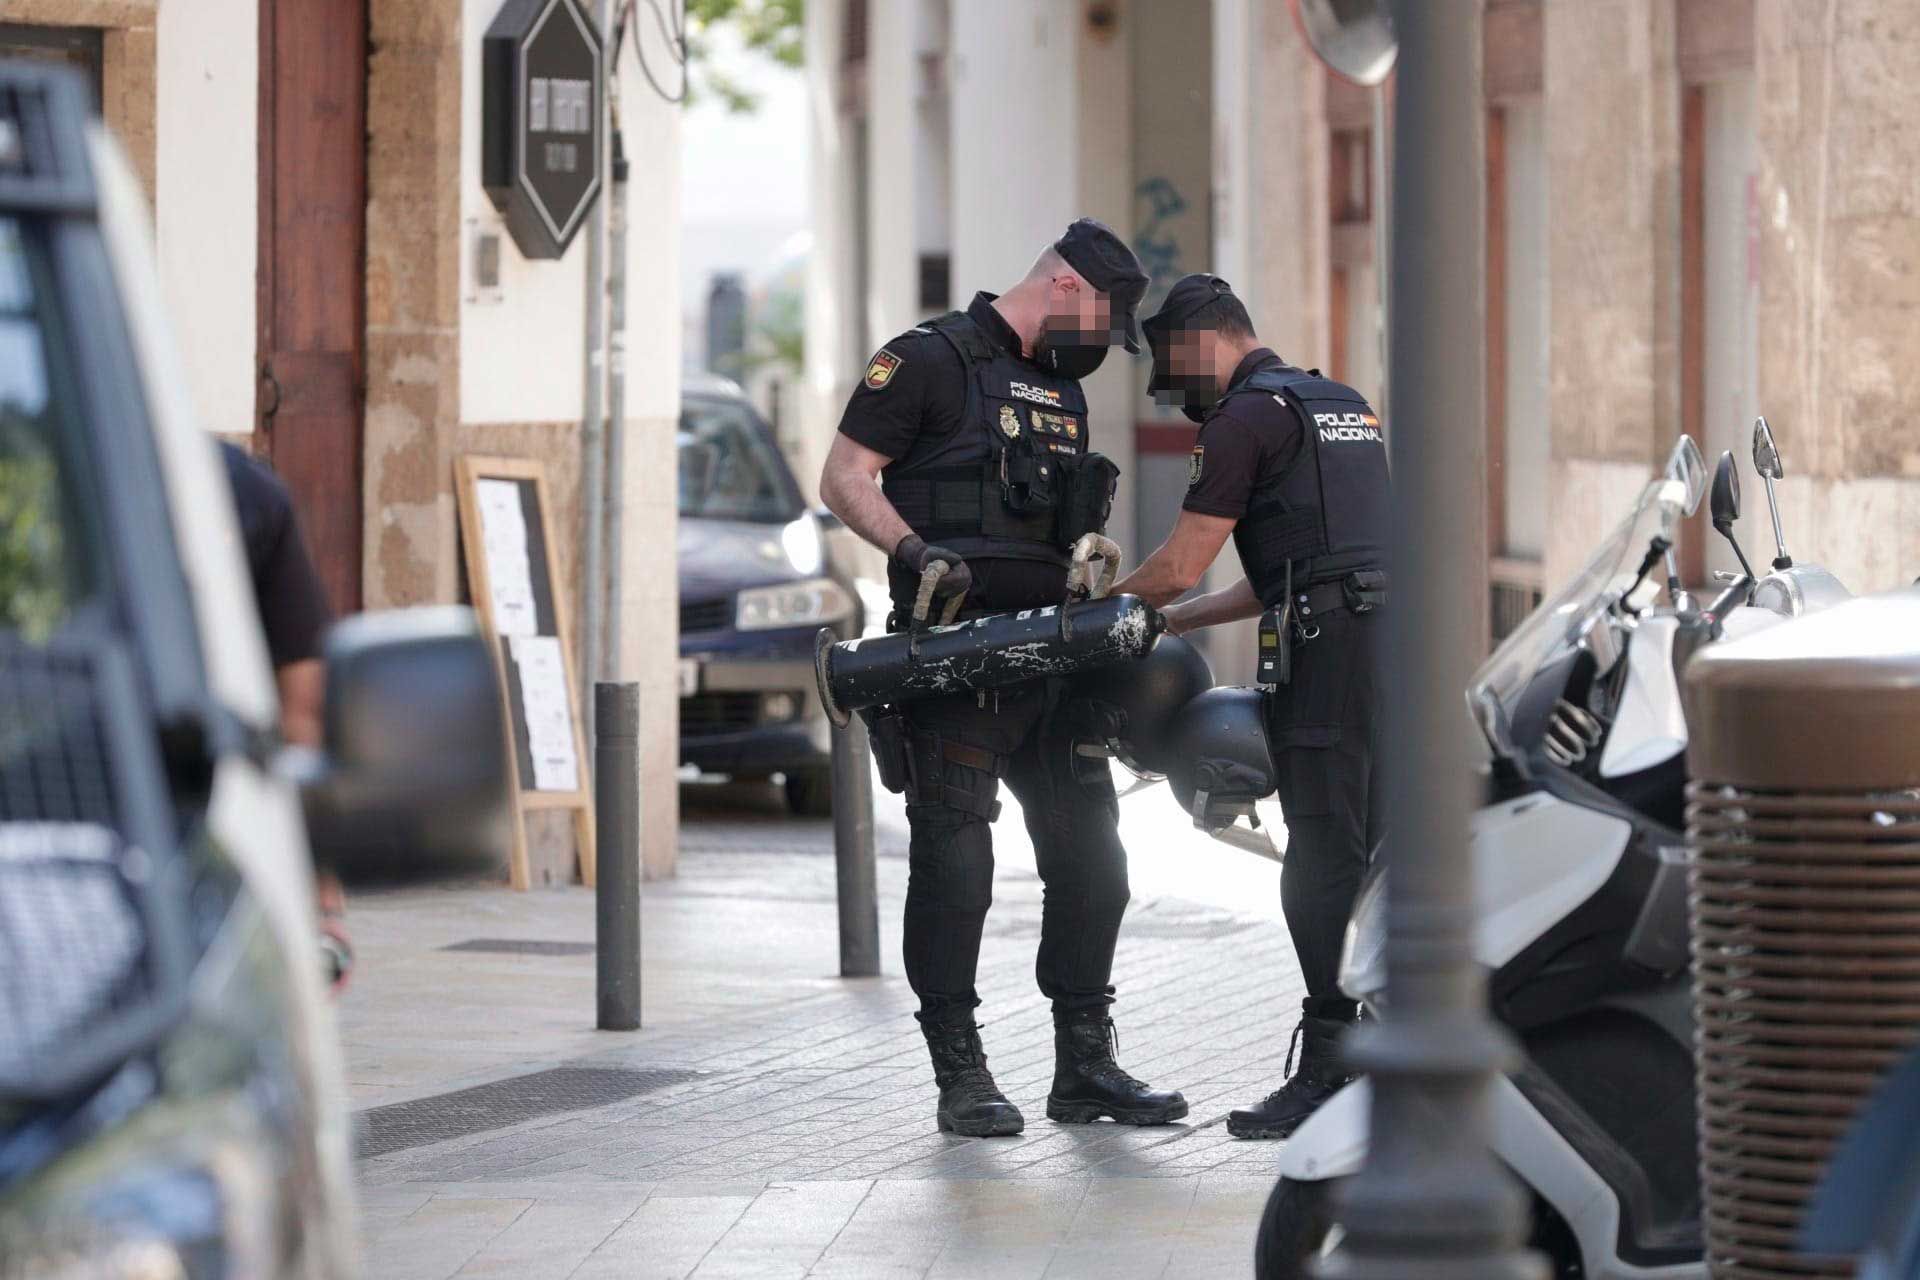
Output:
x=756 y=588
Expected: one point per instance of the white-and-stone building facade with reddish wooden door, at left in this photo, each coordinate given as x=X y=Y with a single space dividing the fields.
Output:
x=320 y=220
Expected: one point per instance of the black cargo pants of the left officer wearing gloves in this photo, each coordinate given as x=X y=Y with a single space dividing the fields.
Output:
x=961 y=751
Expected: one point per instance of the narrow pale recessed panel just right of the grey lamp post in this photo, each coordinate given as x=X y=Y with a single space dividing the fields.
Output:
x=1529 y=423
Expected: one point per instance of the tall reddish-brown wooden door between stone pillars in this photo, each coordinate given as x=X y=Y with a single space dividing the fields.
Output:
x=314 y=270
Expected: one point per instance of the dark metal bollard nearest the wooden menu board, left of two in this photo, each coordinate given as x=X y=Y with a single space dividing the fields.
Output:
x=617 y=891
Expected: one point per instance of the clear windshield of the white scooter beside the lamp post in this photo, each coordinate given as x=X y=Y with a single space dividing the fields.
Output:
x=1560 y=625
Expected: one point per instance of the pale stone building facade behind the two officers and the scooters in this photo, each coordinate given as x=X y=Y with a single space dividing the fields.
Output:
x=1698 y=212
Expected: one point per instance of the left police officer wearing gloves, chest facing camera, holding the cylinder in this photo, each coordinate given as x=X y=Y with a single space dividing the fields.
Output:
x=967 y=448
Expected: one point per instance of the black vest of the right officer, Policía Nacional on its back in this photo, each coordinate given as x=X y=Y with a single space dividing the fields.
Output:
x=1332 y=510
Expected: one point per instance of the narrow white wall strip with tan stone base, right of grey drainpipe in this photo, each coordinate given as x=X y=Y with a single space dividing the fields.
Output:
x=650 y=600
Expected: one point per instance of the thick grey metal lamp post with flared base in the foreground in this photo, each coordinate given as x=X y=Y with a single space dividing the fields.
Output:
x=1431 y=1202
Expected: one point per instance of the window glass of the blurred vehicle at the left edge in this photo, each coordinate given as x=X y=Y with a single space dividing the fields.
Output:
x=43 y=573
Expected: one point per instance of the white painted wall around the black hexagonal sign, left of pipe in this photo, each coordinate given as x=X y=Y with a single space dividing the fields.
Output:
x=519 y=356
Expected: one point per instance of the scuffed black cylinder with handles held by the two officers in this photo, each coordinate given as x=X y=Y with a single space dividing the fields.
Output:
x=986 y=653
